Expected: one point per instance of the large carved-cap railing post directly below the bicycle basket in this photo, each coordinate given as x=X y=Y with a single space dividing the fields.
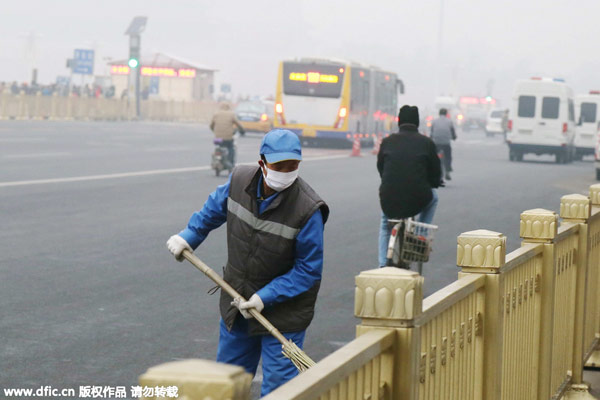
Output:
x=391 y=298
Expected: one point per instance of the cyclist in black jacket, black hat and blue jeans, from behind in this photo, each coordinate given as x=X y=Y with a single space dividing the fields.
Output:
x=410 y=171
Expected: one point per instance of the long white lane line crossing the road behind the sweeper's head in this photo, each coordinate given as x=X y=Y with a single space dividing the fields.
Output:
x=133 y=174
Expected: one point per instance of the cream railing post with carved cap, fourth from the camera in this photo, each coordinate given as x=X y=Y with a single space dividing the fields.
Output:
x=541 y=226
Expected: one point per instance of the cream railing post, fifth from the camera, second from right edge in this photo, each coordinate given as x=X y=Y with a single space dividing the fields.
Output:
x=576 y=208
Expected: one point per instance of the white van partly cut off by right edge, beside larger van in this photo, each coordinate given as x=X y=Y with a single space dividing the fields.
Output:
x=586 y=107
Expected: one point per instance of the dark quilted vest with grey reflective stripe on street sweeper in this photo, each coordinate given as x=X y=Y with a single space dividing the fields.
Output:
x=262 y=247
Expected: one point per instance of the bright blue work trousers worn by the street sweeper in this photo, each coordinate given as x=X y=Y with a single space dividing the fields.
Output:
x=238 y=348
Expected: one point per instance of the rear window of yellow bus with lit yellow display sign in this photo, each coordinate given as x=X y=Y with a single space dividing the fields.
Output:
x=312 y=80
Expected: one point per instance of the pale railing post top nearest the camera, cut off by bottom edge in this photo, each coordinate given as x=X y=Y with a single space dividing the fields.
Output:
x=196 y=380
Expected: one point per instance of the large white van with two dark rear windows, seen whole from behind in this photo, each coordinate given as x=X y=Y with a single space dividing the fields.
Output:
x=542 y=119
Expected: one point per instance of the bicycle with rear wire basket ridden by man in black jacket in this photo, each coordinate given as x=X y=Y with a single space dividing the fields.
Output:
x=410 y=242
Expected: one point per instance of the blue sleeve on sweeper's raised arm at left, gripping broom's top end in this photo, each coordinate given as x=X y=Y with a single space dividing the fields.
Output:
x=212 y=215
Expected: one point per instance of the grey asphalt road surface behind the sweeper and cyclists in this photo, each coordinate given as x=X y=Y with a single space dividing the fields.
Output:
x=89 y=293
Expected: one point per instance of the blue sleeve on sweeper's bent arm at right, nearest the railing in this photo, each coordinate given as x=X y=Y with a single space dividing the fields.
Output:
x=307 y=268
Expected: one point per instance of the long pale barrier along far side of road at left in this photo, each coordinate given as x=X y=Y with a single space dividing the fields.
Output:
x=34 y=107
